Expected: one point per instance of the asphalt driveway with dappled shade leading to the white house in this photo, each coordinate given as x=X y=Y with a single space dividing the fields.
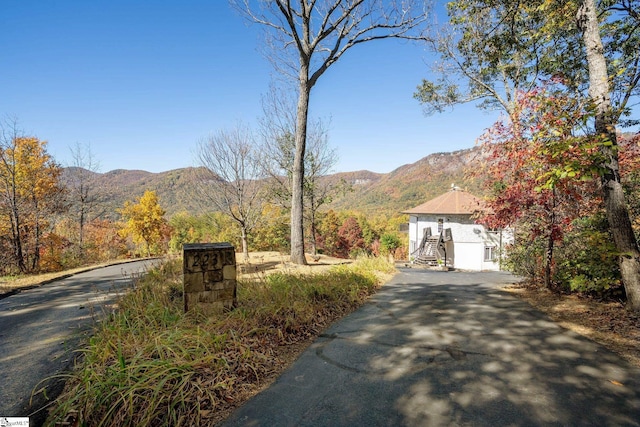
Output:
x=448 y=348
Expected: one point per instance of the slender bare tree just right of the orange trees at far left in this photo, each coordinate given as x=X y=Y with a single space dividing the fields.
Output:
x=82 y=191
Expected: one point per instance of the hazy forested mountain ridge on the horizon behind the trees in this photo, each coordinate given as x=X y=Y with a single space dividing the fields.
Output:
x=370 y=192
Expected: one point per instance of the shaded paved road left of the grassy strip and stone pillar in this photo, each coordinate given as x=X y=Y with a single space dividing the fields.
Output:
x=41 y=328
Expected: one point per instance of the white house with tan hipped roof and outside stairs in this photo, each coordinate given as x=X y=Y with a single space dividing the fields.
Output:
x=443 y=231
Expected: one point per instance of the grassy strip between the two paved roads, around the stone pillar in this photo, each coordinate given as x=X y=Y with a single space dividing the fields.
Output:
x=151 y=364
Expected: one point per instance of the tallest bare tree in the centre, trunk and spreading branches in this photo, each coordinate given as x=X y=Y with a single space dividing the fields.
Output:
x=307 y=37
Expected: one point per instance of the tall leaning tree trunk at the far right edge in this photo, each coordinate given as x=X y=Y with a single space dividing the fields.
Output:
x=614 y=200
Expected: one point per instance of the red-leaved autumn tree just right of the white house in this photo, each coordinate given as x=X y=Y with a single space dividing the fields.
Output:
x=540 y=168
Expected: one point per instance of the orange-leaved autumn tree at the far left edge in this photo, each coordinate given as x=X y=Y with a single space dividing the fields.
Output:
x=30 y=193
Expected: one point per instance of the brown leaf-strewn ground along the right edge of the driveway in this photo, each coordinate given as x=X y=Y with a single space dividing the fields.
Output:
x=605 y=322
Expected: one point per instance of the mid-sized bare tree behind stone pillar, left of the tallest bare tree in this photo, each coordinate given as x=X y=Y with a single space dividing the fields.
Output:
x=229 y=177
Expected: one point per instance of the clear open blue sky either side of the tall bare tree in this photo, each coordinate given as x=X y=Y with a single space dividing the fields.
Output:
x=142 y=82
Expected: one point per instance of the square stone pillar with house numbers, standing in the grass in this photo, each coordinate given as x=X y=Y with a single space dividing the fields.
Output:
x=209 y=277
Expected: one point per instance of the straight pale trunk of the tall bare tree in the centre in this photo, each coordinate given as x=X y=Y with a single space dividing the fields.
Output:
x=297 y=190
